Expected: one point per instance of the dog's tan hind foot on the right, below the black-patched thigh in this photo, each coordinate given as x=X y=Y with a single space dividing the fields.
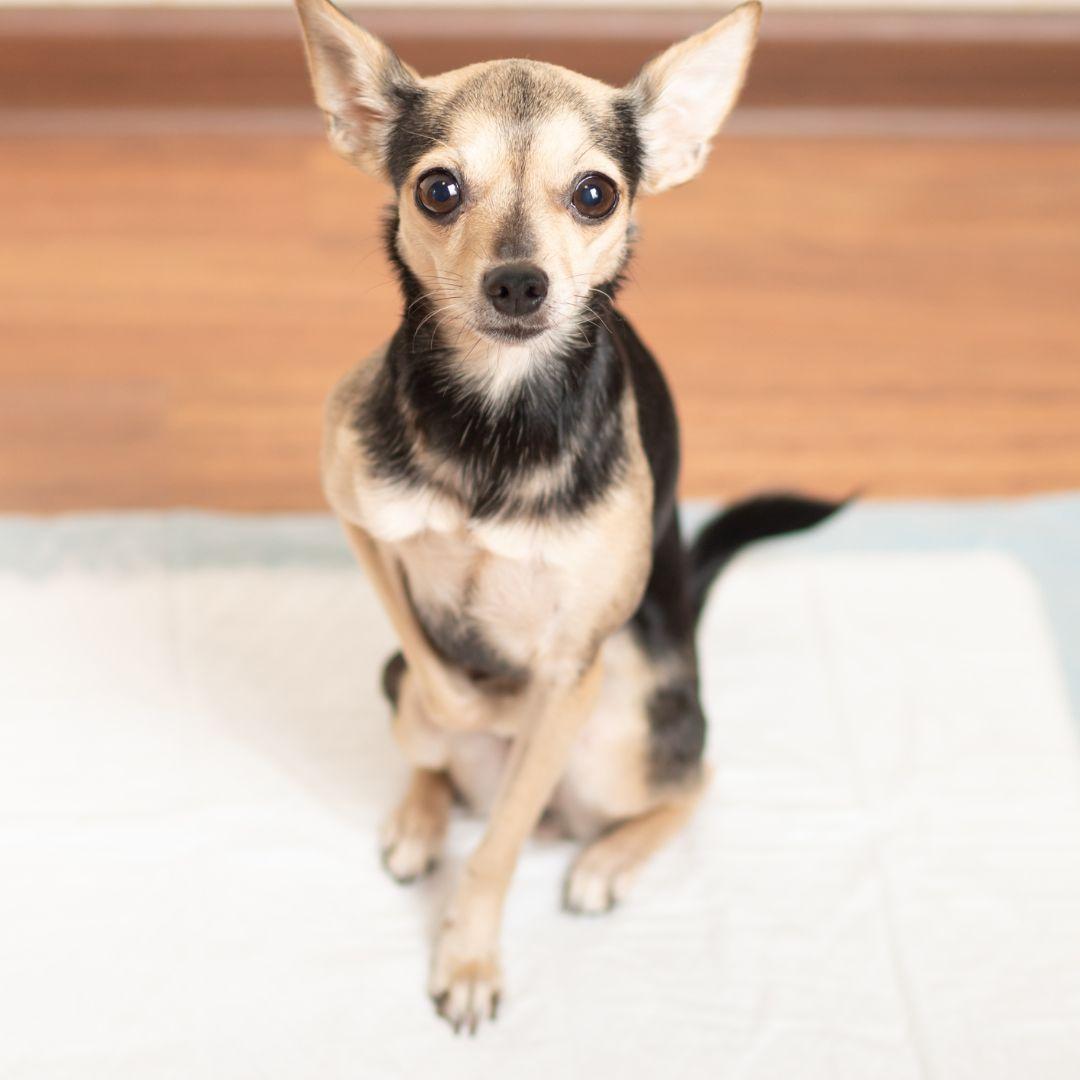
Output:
x=605 y=870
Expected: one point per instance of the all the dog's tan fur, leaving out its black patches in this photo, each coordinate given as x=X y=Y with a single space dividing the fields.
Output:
x=556 y=593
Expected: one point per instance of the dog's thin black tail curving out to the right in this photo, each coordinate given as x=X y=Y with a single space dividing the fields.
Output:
x=766 y=516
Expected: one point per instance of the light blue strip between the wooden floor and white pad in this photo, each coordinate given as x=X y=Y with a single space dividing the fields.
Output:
x=1043 y=533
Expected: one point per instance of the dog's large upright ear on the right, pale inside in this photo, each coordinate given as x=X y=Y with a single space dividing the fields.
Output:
x=685 y=94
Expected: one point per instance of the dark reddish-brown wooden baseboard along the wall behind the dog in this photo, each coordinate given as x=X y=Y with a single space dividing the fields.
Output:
x=242 y=60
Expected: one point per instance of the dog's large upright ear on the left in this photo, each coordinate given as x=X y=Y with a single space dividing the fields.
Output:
x=360 y=85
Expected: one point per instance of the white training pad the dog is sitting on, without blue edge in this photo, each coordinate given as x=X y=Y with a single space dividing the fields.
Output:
x=884 y=881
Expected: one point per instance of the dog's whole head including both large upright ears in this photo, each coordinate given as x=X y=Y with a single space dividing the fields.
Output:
x=515 y=180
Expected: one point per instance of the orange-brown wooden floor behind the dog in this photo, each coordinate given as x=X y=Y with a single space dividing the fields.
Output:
x=897 y=317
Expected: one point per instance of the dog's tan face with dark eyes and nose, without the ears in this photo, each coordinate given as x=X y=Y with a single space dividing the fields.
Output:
x=520 y=205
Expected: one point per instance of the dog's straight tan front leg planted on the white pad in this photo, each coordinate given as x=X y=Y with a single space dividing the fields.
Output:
x=466 y=978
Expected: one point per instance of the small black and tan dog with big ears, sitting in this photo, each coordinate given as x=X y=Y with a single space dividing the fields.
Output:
x=506 y=466
